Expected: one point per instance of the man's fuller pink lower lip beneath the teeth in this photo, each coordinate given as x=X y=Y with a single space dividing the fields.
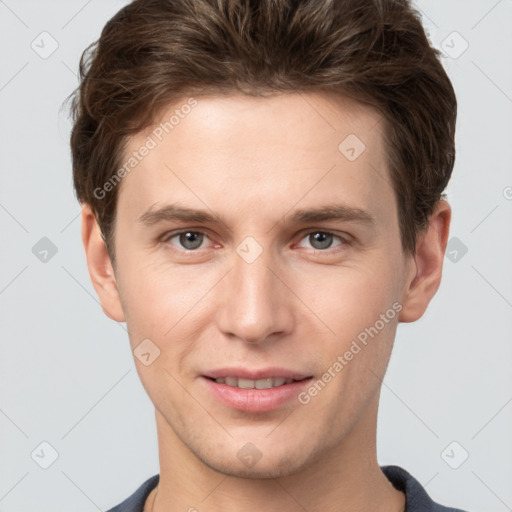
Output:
x=255 y=400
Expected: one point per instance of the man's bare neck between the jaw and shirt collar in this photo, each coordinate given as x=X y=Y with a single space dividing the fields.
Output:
x=345 y=477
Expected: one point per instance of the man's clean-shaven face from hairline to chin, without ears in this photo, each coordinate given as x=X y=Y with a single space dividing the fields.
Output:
x=255 y=243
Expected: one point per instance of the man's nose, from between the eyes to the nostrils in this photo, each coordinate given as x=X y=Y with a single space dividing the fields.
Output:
x=257 y=304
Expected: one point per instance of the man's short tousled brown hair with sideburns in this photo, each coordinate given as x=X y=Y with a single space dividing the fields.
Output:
x=153 y=52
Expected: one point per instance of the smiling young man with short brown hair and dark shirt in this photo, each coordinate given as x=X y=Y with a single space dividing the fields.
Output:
x=262 y=185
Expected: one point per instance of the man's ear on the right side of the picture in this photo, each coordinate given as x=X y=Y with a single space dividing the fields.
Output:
x=425 y=277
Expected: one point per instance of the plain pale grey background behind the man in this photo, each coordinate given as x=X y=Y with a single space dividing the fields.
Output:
x=66 y=373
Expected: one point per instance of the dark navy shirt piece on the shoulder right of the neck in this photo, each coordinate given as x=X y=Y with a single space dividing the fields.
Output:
x=417 y=498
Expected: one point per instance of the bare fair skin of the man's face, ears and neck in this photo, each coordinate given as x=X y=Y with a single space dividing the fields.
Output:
x=255 y=161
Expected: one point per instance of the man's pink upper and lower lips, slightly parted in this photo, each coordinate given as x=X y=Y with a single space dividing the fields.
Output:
x=255 y=400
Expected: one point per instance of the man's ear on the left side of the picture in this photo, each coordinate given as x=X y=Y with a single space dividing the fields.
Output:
x=100 y=267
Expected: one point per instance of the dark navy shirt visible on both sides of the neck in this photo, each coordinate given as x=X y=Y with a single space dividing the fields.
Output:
x=417 y=499
